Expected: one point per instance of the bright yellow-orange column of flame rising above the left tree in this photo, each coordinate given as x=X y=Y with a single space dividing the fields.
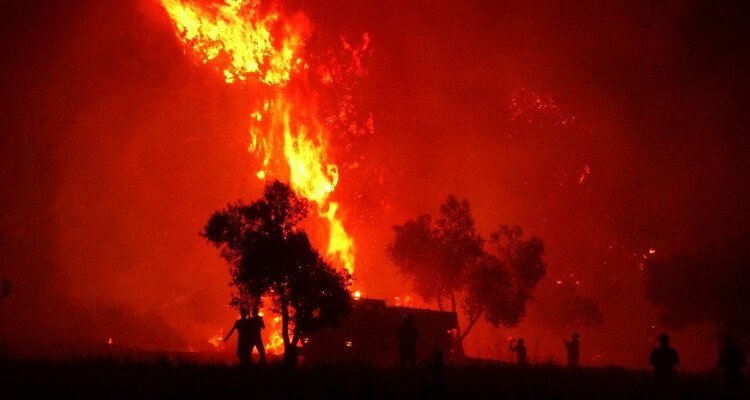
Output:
x=247 y=42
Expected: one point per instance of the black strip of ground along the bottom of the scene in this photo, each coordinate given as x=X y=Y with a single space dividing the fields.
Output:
x=168 y=380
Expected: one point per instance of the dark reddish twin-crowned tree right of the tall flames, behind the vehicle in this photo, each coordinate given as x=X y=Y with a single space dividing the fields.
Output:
x=448 y=261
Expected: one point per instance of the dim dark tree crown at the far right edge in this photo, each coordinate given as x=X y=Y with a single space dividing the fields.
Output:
x=703 y=286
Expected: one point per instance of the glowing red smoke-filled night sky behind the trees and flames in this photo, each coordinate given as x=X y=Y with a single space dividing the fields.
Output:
x=116 y=147
